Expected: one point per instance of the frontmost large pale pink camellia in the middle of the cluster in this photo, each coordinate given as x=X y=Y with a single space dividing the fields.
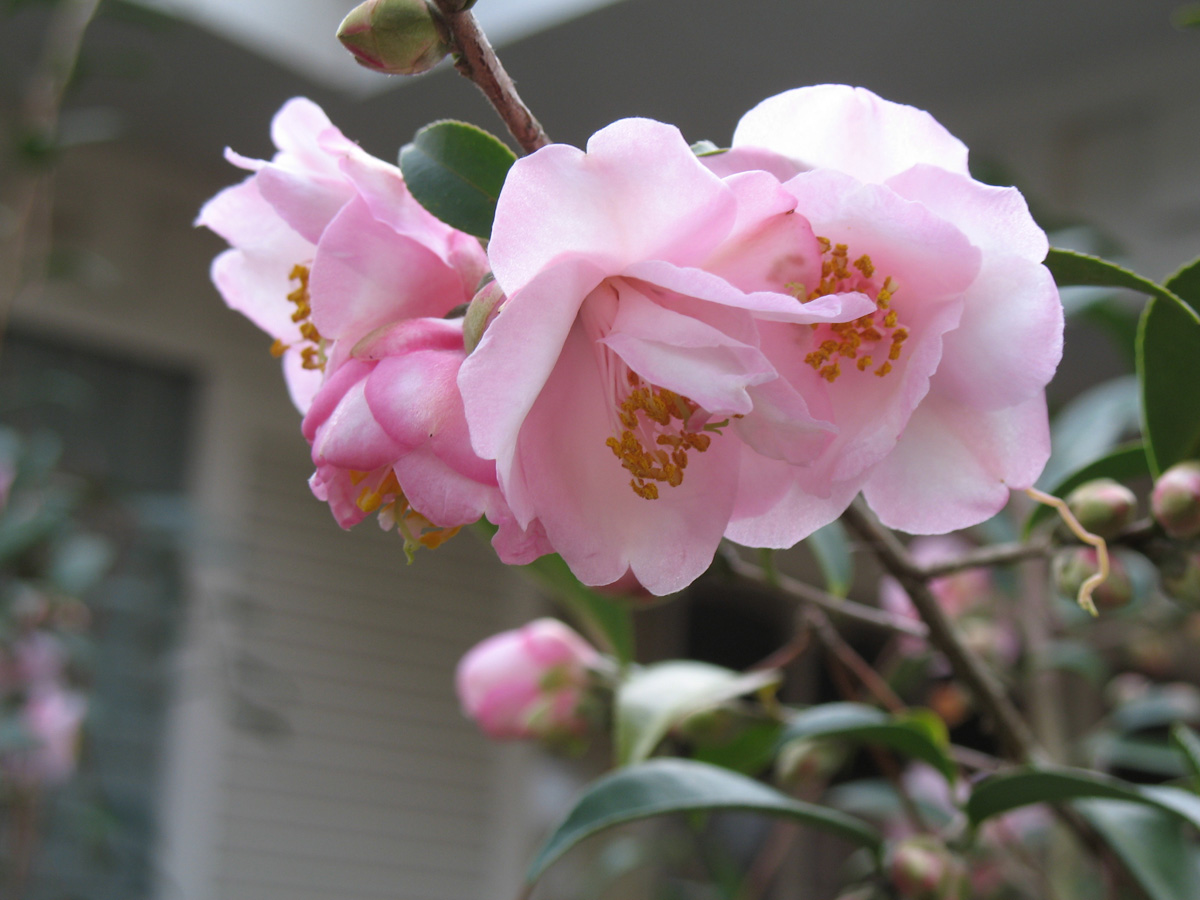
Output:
x=623 y=388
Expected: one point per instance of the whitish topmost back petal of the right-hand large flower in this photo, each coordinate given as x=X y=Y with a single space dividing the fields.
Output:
x=850 y=130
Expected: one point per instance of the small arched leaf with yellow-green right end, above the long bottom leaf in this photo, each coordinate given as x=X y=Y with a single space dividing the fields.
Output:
x=913 y=735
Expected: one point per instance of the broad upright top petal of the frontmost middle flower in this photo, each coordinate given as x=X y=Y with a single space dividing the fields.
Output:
x=638 y=194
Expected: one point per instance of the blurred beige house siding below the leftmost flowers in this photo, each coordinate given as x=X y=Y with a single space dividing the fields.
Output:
x=362 y=779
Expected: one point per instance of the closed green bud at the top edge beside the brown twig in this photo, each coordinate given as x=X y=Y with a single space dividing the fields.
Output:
x=394 y=37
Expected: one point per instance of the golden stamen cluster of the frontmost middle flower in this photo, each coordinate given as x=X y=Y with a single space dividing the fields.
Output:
x=653 y=411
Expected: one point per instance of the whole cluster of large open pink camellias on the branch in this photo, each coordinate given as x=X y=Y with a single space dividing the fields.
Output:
x=689 y=347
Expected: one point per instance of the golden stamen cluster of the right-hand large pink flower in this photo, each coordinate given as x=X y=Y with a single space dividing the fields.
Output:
x=877 y=335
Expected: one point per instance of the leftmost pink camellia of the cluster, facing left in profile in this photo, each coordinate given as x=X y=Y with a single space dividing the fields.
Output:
x=328 y=245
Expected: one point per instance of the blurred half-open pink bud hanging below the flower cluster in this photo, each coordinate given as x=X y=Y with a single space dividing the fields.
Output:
x=529 y=683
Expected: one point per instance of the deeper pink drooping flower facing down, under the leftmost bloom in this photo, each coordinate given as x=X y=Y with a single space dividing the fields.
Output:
x=389 y=436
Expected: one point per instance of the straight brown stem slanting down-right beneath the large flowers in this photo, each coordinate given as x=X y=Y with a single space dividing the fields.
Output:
x=1010 y=727
